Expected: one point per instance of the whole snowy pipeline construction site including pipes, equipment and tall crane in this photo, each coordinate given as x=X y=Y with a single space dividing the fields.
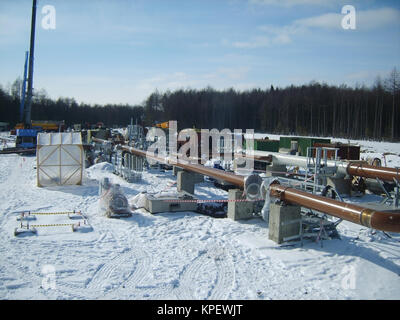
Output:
x=147 y=212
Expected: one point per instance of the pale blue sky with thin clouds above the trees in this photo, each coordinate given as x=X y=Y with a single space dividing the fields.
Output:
x=120 y=51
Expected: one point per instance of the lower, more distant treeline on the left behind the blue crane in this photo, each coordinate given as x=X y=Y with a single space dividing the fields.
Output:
x=67 y=109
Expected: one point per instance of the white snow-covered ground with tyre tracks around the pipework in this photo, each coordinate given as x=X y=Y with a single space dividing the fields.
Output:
x=177 y=255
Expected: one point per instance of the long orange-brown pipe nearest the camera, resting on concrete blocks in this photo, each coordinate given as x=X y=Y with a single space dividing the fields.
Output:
x=379 y=220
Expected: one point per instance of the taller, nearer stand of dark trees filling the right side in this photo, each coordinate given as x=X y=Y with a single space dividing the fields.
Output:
x=314 y=109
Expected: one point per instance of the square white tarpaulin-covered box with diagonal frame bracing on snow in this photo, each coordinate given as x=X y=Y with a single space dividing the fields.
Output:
x=60 y=159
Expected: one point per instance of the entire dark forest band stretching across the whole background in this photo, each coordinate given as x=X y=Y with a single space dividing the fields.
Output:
x=314 y=109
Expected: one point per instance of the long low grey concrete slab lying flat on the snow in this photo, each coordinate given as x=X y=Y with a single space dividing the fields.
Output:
x=168 y=204
